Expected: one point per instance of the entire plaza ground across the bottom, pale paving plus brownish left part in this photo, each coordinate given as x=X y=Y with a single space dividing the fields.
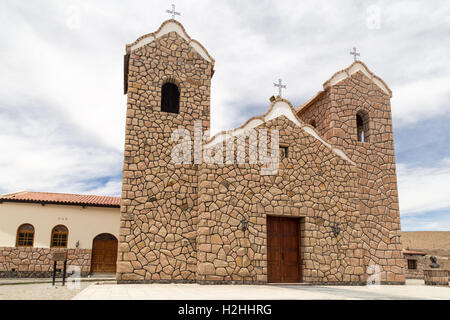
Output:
x=104 y=290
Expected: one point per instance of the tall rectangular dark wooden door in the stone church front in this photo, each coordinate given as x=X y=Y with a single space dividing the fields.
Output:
x=283 y=250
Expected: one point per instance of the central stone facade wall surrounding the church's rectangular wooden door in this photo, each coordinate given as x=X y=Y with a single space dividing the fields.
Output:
x=313 y=183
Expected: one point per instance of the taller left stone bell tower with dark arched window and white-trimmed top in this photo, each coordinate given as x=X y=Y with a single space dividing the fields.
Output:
x=167 y=82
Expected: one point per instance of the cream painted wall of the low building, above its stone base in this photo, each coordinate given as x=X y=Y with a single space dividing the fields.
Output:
x=83 y=224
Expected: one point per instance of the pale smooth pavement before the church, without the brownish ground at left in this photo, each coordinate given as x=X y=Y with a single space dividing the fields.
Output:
x=413 y=290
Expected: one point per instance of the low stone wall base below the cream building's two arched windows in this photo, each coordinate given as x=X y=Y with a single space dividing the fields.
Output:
x=38 y=262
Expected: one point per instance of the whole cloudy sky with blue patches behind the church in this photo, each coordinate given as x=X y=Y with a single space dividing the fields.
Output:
x=62 y=111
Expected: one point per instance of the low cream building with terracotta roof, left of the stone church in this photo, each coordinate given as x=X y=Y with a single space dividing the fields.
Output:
x=34 y=225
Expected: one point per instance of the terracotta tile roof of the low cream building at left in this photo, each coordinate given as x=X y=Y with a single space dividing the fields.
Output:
x=62 y=198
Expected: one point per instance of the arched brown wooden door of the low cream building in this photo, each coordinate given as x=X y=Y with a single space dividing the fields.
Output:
x=104 y=254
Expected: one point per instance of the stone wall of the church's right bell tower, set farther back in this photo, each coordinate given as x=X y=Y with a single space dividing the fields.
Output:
x=335 y=114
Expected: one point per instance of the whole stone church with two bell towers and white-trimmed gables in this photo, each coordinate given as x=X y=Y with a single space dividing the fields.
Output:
x=330 y=214
